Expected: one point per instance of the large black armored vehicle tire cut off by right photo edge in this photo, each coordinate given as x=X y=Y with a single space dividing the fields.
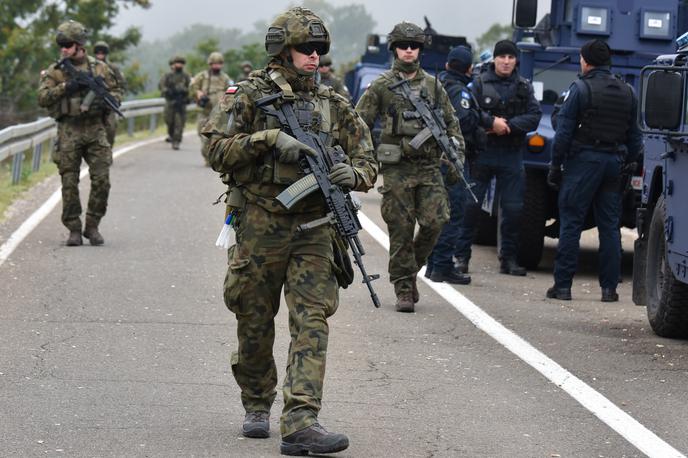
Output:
x=667 y=298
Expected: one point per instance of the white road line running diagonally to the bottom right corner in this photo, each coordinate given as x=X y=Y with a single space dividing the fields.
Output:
x=629 y=428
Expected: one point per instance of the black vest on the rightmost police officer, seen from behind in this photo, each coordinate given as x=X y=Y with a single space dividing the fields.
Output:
x=606 y=118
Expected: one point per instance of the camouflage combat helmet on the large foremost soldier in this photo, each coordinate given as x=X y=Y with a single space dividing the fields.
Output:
x=294 y=27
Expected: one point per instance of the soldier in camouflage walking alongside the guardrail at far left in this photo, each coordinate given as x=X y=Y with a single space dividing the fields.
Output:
x=81 y=132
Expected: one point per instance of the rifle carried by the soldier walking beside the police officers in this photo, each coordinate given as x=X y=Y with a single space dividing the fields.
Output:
x=435 y=127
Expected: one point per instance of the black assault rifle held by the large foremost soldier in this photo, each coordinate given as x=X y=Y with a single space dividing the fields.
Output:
x=342 y=211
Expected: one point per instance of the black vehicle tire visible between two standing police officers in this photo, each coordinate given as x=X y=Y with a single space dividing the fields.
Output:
x=534 y=218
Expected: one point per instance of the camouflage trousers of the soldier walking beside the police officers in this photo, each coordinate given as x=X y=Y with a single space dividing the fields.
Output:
x=406 y=202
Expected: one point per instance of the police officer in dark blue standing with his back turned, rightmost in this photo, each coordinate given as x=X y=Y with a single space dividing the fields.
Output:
x=596 y=138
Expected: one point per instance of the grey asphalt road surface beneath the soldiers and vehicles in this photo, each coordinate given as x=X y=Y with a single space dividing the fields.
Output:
x=123 y=350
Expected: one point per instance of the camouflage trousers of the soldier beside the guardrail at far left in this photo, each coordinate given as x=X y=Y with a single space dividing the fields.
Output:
x=87 y=140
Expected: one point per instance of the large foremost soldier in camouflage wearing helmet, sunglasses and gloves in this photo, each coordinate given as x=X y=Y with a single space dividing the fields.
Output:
x=259 y=160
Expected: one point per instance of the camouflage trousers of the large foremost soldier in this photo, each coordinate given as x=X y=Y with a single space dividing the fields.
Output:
x=271 y=253
